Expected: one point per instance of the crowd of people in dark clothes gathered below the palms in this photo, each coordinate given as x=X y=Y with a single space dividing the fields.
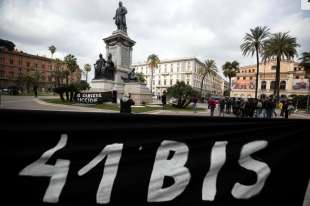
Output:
x=259 y=108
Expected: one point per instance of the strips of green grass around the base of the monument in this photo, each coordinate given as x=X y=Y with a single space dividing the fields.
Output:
x=115 y=107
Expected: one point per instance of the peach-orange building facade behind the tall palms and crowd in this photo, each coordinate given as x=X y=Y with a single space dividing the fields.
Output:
x=292 y=80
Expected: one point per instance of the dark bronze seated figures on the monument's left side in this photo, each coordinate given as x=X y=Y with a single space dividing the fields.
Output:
x=104 y=69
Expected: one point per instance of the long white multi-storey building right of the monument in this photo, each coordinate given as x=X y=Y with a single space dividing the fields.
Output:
x=169 y=72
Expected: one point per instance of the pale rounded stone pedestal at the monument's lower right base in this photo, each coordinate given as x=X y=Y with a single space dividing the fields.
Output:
x=139 y=92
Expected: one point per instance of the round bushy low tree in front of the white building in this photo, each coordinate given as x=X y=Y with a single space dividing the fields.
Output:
x=183 y=93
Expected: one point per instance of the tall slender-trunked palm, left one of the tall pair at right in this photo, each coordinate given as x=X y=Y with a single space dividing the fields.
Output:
x=253 y=43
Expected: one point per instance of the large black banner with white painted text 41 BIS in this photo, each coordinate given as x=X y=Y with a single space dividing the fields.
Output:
x=66 y=158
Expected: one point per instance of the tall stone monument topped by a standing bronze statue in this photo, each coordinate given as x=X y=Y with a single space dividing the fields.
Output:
x=115 y=74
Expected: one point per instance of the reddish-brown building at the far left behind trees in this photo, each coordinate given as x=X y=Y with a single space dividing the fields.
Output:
x=14 y=64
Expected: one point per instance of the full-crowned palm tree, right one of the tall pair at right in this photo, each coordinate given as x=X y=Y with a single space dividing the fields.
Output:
x=280 y=46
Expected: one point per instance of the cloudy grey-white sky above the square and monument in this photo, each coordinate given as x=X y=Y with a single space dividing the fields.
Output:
x=168 y=28
